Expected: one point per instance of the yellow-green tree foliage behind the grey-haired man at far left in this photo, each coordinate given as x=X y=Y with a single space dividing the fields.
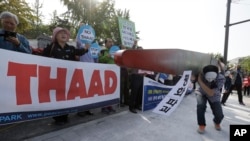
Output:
x=22 y=10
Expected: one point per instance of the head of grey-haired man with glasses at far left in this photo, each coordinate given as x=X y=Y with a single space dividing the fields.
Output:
x=9 y=21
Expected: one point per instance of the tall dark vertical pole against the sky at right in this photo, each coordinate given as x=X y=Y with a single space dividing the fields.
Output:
x=227 y=30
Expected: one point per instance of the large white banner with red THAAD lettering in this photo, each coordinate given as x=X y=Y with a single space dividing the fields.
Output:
x=31 y=83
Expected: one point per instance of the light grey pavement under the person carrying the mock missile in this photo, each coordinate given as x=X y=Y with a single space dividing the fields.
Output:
x=148 y=126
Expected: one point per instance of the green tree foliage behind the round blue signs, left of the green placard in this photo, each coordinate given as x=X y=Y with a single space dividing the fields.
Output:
x=102 y=16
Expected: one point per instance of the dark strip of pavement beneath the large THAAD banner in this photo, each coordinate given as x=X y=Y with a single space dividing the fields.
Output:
x=29 y=129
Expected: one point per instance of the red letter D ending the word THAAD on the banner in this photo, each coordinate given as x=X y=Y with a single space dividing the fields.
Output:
x=109 y=77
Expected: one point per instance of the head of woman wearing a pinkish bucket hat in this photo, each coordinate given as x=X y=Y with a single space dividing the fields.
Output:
x=60 y=35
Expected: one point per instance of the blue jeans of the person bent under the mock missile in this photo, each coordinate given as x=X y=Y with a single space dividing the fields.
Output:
x=201 y=109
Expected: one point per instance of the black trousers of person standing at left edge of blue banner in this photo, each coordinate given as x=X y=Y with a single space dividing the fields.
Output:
x=136 y=90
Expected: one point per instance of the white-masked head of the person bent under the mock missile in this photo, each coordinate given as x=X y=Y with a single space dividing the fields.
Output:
x=210 y=72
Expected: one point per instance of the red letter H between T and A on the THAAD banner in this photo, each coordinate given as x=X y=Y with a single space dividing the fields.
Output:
x=45 y=84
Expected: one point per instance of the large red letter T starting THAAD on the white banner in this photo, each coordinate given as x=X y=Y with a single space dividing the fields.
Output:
x=23 y=72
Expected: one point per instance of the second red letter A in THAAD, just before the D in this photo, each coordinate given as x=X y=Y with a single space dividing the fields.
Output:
x=95 y=86
